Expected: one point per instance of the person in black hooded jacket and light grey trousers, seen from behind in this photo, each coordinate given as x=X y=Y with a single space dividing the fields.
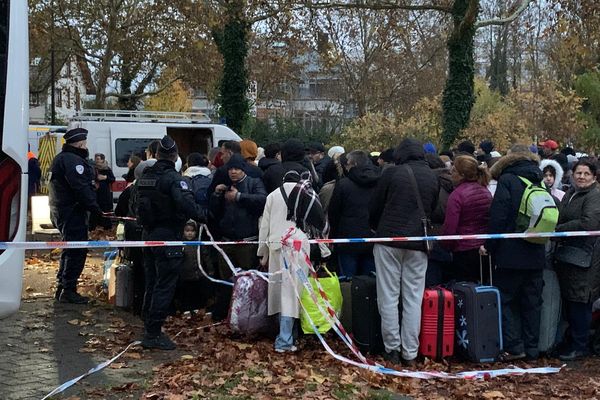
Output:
x=401 y=266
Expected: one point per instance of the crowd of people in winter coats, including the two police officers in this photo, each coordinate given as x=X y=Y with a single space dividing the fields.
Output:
x=246 y=193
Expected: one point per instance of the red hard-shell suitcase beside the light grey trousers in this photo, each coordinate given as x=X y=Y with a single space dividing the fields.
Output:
x=437 y=324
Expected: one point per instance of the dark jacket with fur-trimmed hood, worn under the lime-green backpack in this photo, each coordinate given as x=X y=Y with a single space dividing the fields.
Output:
x=513 y=253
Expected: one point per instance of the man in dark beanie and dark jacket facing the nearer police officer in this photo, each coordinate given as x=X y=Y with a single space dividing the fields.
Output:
x=235 y=210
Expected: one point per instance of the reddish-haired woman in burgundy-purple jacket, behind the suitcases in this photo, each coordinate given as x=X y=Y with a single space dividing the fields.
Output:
x=467 y=213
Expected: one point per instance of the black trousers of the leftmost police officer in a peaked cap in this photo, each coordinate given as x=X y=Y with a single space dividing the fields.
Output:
x=72 y=261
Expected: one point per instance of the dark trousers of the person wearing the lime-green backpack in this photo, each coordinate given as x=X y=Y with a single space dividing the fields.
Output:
x=521 y=296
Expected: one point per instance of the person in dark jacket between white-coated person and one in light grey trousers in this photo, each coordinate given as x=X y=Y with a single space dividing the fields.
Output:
x=349 y=214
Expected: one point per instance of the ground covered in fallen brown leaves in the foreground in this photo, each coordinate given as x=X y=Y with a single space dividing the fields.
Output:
x=210 y=363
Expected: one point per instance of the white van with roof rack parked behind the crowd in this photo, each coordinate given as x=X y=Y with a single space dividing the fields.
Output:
x=119 y=134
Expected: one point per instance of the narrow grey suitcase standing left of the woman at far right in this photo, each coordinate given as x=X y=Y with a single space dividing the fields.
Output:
x=551 y=310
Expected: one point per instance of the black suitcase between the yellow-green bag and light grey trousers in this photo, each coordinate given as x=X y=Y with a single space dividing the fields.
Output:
x=366 y=322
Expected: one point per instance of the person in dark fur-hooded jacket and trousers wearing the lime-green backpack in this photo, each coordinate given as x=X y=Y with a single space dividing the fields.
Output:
x=519 y=263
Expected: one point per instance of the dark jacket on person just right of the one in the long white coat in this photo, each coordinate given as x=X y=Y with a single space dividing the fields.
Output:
x=349 y=207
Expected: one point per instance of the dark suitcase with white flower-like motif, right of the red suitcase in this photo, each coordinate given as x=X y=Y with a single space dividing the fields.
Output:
x=478 y=321
